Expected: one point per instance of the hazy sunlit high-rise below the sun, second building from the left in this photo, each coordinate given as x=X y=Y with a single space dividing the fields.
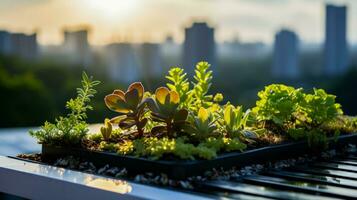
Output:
x=76 y=46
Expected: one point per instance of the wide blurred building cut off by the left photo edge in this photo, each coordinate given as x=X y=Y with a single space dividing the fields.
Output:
x=18 y=44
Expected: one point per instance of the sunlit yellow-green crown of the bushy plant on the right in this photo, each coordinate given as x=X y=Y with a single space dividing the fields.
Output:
x=283 y=104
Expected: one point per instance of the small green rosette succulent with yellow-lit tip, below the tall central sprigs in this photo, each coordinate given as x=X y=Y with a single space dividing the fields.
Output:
x=202 y=126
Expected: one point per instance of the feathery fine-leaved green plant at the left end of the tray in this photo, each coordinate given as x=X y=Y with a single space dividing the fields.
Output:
x=71 y=129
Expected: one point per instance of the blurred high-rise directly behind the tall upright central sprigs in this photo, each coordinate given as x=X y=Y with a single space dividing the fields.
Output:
x=199 y=45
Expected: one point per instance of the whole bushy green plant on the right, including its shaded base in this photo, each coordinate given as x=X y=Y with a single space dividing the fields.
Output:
x=301 y=115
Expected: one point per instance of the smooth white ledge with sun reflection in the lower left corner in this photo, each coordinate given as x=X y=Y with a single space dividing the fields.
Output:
x=37 y=181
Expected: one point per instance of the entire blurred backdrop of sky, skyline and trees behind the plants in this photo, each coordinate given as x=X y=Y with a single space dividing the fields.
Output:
x=46 y=44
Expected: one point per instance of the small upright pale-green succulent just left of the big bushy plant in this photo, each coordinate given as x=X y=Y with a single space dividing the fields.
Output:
x=235 y=120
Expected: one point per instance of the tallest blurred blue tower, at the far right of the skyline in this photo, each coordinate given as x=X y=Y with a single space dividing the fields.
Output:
x=336 y=53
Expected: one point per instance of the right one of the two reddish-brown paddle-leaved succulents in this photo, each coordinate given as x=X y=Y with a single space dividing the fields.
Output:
x=165 y=109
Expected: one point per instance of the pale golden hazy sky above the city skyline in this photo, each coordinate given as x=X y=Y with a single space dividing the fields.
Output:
x=152 y=20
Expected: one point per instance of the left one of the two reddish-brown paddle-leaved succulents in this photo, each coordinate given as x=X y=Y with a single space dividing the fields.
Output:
x=130 y=106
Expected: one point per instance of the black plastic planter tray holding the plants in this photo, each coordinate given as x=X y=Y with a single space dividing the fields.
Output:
x=179 y=169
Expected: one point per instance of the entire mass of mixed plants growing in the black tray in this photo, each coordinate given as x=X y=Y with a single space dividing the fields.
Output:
x=189 y=123
